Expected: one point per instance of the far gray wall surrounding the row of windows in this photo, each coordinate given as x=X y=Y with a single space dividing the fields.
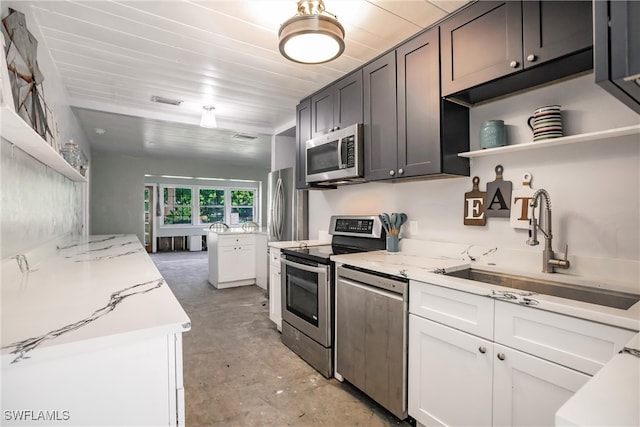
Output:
x=117 y=187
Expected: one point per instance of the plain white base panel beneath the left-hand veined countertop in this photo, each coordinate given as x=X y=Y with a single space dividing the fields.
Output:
x=137 y=383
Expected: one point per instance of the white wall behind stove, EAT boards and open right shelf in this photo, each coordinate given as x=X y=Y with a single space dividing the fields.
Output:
x=594 y=187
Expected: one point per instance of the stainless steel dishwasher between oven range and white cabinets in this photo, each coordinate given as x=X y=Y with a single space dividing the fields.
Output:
x=371 y=335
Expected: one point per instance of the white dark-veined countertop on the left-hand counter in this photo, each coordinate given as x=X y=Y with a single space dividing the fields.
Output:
x=96 y=291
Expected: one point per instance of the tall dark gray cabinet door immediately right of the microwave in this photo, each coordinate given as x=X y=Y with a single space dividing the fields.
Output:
x=380 y=122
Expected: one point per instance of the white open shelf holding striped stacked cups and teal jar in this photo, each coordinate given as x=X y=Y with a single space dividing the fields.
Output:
x=623 y=134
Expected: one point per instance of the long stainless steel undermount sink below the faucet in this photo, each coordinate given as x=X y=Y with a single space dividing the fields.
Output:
x=608 y=298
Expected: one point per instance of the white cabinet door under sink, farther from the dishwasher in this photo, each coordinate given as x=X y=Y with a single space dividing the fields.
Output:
x=527 y=390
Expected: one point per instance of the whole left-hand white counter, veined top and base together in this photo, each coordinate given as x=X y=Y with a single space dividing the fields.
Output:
x=91 y=335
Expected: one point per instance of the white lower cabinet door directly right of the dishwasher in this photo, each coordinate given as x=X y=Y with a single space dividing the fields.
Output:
x=450 y=375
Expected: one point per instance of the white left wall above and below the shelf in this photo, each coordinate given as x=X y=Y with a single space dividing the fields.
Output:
x=38 y=203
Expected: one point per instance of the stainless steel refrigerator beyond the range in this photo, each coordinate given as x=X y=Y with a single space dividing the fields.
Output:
x=287 y=207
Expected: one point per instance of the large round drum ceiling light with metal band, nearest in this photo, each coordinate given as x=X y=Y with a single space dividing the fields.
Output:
x=312 y=36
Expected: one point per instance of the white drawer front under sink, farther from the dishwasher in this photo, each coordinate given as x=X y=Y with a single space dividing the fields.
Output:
x=577 y=343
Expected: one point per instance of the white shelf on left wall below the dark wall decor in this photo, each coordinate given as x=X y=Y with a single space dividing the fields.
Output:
x=19 y=133
